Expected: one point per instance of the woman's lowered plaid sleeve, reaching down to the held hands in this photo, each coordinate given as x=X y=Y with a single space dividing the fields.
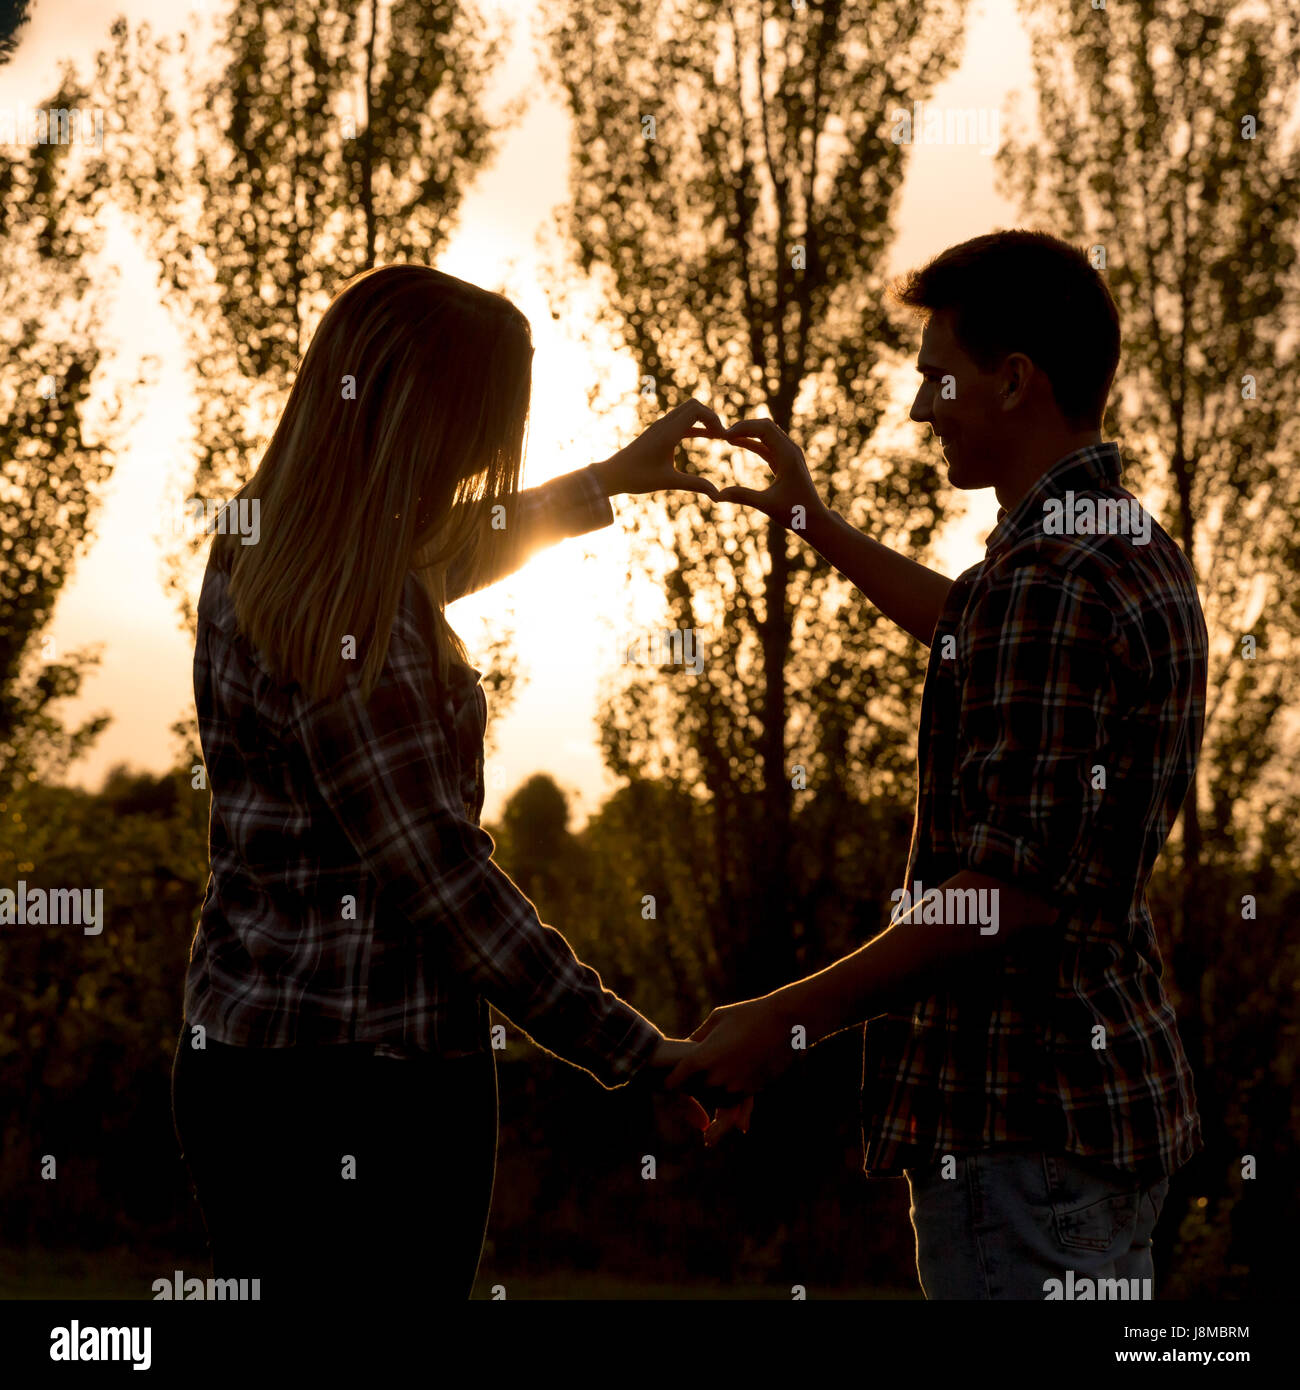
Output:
x=389 y=772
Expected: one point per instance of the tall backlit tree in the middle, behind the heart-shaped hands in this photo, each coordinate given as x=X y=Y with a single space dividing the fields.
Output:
x=733 y=186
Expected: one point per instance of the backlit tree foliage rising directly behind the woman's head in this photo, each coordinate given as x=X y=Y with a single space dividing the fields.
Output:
x=307 y=144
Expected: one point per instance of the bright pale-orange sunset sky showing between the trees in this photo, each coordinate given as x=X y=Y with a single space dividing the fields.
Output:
x=571 y=607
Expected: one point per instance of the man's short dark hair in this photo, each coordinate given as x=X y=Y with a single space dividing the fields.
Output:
x=1034 y=294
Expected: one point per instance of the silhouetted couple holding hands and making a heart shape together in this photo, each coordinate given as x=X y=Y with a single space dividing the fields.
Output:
x=334 y=1082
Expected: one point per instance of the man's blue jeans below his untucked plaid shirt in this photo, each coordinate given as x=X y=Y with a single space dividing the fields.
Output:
x=1007 y=1223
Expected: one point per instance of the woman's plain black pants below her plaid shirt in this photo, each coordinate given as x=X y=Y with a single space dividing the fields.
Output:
x=332 y=1174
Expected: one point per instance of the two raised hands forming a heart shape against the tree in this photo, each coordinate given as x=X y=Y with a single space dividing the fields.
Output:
x=647 y=464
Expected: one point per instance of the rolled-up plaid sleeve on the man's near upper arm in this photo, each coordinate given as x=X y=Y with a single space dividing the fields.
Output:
x=1039 y=708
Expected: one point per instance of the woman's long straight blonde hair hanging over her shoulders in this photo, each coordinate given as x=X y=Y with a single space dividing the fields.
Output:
x=404 y=430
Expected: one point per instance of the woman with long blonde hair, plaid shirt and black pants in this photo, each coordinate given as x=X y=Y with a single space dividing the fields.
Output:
x=334 y=1089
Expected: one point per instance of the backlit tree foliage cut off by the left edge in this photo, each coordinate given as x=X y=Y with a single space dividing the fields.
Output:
x=52 y=457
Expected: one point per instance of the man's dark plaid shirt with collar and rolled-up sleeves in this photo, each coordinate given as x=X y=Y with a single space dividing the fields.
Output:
x=1070 y=653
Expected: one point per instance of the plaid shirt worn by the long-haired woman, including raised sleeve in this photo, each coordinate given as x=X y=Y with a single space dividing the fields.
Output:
x=352 y=894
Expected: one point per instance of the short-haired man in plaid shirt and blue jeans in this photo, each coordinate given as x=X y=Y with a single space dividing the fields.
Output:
x=1023 y=1064
